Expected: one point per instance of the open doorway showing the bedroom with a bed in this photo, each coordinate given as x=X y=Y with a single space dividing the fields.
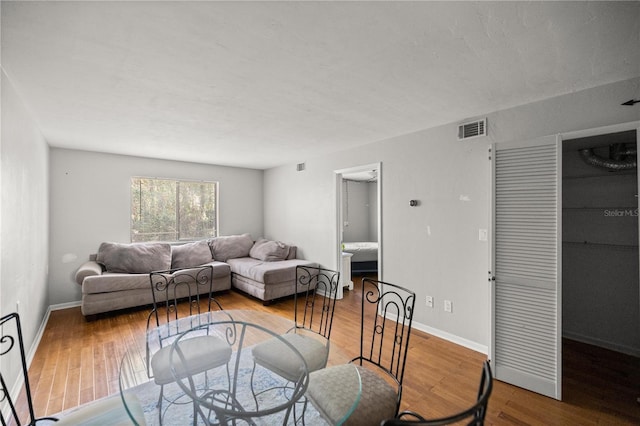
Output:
x=359 y=222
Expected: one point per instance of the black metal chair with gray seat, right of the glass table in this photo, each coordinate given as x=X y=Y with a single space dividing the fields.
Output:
x=385 y=328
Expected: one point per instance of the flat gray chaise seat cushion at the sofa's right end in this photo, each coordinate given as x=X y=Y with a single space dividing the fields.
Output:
x=267 y=272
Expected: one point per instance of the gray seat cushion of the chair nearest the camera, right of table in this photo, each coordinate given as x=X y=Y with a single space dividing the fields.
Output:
x=330 y=393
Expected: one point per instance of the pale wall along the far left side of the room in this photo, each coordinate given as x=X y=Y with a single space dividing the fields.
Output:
x=24 y=216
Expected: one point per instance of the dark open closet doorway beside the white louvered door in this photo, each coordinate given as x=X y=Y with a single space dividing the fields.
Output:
x=600 y=259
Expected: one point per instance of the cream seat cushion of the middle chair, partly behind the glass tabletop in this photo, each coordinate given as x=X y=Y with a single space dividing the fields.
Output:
x=275 y=356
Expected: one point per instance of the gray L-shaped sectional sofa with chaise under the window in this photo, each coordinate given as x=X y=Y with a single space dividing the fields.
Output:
x=117 y=277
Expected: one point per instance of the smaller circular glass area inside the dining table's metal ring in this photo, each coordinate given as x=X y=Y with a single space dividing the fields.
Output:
x=237 y=387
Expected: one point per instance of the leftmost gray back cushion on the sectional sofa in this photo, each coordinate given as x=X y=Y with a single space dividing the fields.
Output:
x=134 y=258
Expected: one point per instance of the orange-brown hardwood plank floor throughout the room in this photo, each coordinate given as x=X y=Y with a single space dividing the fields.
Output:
x=77 y=362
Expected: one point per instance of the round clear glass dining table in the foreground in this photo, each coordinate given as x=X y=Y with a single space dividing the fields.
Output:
x=236 y=391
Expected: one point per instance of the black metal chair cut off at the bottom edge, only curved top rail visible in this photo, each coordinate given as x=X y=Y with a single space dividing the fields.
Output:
x=473 y=416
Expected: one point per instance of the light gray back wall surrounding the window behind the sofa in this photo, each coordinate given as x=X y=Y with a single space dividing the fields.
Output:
x=90 y=203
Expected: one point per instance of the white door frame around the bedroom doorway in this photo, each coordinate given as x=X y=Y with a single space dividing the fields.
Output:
x=339 y=208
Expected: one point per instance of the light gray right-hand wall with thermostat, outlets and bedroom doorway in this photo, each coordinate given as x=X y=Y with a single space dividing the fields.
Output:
x=434 y=248
